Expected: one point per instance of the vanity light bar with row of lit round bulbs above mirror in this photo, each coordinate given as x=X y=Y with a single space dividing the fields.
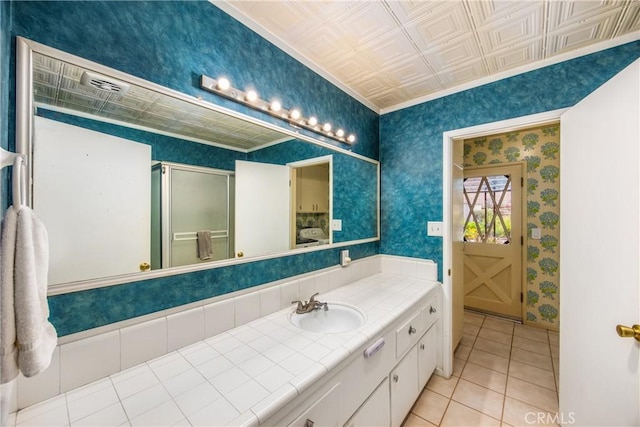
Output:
x=274 y=108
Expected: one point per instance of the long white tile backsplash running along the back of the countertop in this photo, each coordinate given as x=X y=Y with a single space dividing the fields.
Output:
x=81 y=359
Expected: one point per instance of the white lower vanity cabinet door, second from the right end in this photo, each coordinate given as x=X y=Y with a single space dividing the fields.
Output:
x=404 y=386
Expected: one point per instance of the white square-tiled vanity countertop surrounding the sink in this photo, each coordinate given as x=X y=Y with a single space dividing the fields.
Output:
x=242 y=376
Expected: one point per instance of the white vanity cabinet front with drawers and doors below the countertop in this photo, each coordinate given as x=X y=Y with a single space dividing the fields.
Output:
x=378 y=384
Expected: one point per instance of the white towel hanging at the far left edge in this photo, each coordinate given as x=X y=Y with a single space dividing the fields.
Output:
x=25 y=264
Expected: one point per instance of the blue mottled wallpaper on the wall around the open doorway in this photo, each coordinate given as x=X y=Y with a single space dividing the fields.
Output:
x=411 y=139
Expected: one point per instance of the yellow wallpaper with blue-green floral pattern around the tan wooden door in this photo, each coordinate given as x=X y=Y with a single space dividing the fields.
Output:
x=540 y=149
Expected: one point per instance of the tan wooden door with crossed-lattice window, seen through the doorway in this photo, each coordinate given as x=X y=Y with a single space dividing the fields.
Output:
x=493 y=240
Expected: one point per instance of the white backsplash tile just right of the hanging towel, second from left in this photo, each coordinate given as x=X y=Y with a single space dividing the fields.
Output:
x=89 y=359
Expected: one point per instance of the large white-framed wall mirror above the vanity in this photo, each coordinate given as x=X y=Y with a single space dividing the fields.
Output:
x=134 y=180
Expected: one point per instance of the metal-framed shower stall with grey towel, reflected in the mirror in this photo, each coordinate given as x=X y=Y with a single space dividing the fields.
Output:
x=191 y=215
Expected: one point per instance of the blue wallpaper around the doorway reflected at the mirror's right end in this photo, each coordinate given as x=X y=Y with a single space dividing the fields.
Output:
x=354 y=186
